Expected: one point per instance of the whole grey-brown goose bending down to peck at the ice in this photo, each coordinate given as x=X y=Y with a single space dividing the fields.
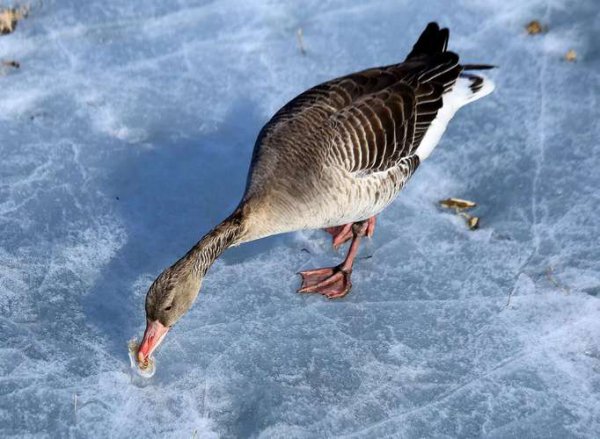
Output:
x=332 y=158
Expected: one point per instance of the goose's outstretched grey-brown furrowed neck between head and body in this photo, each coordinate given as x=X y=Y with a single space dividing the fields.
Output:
x=213 y=244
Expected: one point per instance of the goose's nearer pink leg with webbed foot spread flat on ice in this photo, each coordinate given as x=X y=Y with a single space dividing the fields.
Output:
x=334 y=282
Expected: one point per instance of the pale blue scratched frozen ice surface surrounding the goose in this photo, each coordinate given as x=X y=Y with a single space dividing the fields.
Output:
x=126 y=134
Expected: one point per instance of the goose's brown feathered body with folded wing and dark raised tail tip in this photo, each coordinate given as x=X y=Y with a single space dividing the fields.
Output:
x=342 y=150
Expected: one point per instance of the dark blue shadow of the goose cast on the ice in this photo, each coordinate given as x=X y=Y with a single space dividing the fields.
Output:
x=166 y=196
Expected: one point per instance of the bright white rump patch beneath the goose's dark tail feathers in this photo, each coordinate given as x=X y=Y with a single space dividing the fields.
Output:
x=460 y=95
